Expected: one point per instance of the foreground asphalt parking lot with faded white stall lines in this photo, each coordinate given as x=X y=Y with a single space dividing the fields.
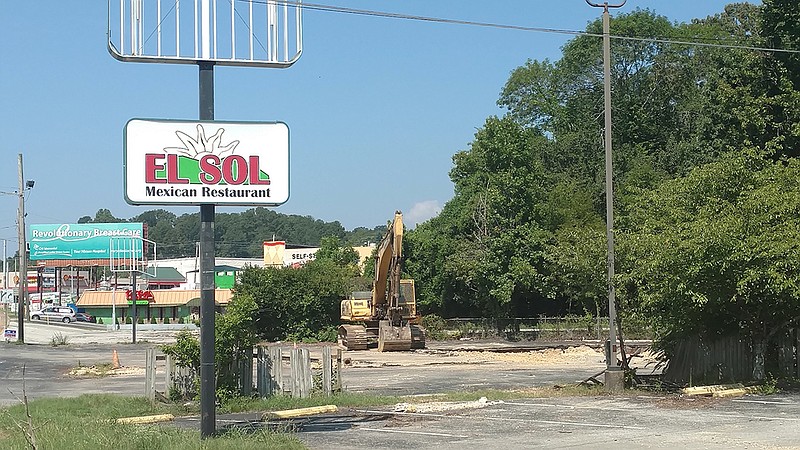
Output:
x=753 y=422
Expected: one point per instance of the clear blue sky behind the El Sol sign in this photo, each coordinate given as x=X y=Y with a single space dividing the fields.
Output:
x=376 y=107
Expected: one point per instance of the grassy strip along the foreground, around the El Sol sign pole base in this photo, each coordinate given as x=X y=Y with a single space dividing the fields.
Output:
x=88 y=421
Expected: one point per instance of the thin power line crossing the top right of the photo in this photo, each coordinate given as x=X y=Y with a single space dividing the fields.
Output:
x=400 y=16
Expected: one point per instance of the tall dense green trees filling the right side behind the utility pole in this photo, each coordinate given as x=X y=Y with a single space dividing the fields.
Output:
x=706 y=141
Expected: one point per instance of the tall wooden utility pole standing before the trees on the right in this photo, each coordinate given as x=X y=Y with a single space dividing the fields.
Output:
x=614 y=377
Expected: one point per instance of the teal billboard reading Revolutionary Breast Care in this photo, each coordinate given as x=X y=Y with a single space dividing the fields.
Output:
x=83 y=241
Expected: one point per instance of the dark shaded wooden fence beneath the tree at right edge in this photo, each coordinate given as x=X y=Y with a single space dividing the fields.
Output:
x=732 y=358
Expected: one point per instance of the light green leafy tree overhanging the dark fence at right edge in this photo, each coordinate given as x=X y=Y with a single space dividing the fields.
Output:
x=716 y=252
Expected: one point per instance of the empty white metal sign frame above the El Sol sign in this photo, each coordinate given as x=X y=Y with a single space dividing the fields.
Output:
x=260 y=33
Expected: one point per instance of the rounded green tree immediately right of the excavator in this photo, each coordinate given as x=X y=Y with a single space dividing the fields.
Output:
x=493 y=237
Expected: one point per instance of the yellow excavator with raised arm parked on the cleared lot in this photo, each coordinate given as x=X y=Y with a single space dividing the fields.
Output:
x=387 y=315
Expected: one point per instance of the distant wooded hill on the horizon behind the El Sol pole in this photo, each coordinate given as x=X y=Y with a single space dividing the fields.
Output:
x=239 y=235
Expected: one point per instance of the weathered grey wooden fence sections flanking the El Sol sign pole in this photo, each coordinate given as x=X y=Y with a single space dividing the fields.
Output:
x=278 y=371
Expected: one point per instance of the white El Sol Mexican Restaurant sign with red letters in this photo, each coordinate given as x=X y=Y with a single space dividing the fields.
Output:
x=170 y=162
